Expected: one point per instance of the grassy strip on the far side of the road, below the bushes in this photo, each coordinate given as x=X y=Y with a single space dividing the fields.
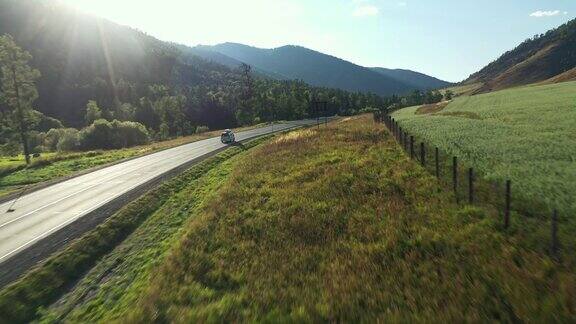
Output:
x=15 y=175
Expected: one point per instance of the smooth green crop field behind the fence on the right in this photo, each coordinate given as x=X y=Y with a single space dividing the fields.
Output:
x=527 y=135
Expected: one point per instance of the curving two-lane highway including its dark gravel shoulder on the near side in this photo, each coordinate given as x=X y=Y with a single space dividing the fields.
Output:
x=45 y=220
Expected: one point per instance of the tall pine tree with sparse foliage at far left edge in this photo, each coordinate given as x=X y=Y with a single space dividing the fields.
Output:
x=18 y=89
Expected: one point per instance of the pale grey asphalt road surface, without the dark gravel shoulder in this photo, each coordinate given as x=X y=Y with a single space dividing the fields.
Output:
x=43 y=212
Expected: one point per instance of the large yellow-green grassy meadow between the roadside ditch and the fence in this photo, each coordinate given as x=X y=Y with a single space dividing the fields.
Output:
x=332 y=224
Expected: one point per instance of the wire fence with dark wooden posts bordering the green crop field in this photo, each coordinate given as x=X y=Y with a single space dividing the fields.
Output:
x=470 y=187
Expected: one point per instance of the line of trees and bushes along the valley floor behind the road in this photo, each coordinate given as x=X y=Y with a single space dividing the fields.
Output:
x=127 y=113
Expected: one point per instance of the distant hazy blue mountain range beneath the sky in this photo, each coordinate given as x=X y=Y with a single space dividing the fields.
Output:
x=318 y=69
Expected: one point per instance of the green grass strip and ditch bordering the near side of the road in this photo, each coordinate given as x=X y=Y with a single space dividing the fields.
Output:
x=125 y=246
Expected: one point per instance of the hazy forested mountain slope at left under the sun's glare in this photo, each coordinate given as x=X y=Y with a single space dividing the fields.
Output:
x=83 y=57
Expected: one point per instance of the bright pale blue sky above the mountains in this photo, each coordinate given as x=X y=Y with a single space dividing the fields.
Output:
x=448 y=39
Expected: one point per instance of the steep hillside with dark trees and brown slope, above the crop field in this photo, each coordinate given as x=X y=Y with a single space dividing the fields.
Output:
x=540 y=58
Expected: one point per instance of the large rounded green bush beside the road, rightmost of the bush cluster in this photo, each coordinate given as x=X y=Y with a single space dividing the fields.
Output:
x=103 y=134
